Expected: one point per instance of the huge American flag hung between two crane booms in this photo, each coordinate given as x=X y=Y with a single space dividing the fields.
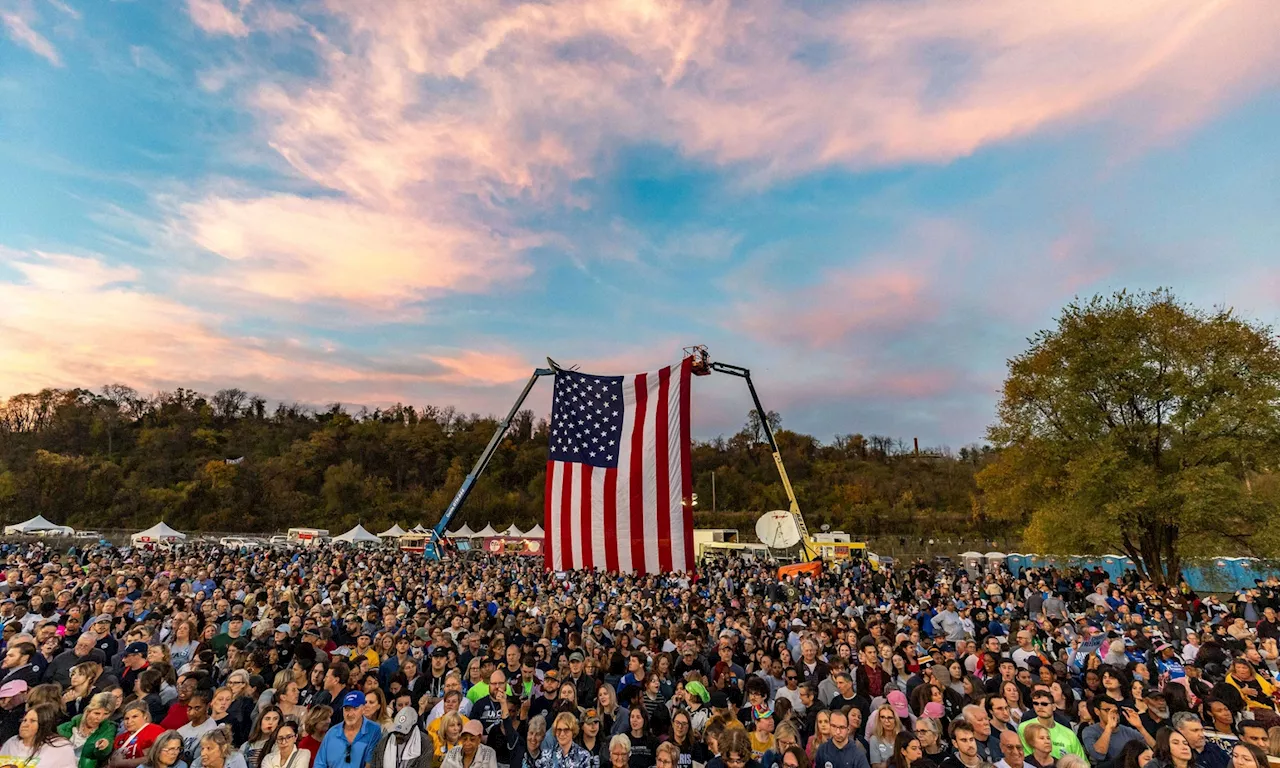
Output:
x=619 y=479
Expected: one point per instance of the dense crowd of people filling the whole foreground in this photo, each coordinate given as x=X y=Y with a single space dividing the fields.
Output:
x=203 y=657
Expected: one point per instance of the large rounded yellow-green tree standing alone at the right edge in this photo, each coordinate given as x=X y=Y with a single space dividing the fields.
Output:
x=1137 y=423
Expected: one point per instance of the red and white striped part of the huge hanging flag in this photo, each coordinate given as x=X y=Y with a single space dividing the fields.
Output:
x=634 y=519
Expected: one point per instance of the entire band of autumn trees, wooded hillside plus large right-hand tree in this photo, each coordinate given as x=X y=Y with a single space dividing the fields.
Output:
x=1137 y=424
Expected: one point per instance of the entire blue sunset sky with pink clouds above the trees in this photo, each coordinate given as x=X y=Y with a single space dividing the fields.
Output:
x=871 y=204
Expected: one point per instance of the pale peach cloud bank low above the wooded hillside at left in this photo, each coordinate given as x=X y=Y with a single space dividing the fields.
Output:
x=79 y=322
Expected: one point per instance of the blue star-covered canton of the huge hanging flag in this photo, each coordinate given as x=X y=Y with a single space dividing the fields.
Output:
x=587 y=419
